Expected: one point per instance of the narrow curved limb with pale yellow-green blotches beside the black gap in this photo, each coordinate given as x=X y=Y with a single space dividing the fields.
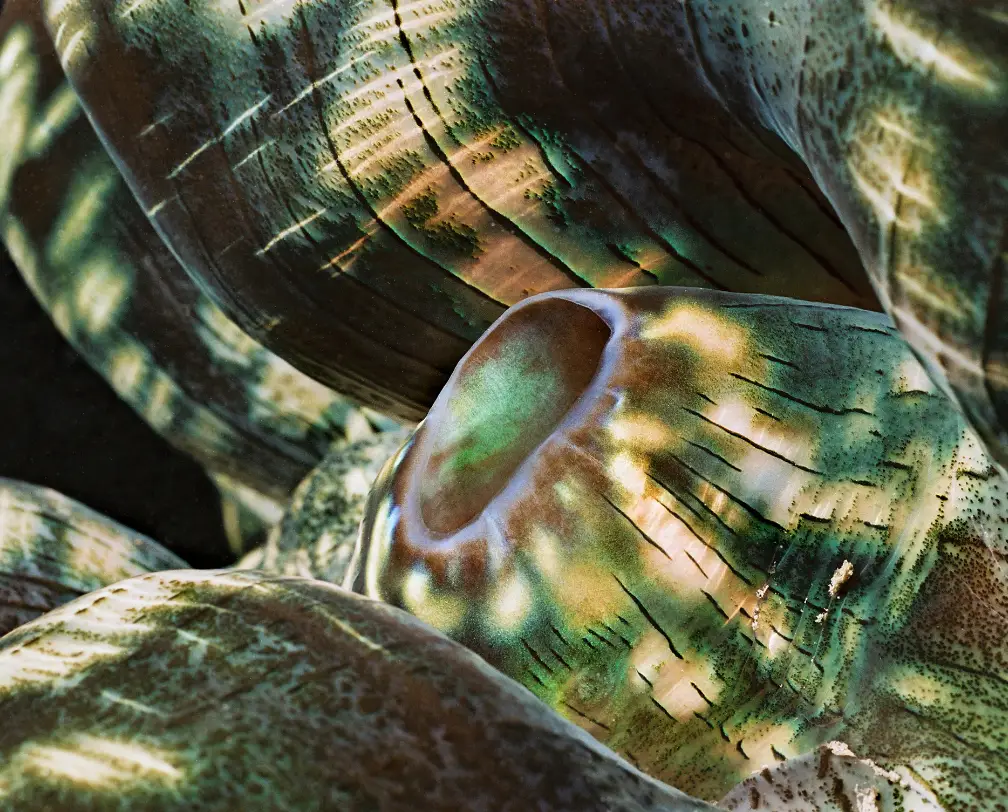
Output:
x=116 y=293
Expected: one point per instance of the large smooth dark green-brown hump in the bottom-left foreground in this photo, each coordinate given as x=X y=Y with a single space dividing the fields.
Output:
x=222 y=692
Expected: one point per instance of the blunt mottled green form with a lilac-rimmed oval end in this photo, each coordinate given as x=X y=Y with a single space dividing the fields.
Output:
x=761 y=528
